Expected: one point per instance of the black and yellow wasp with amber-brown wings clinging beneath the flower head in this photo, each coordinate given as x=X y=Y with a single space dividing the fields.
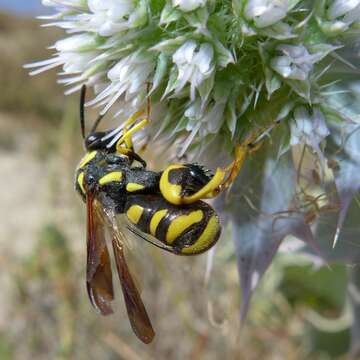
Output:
x=163 y=208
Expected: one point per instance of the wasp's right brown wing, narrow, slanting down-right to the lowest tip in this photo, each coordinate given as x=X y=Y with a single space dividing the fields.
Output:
x=135 y=307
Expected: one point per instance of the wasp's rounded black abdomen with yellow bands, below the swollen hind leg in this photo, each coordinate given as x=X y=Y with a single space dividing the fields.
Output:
x=188 y=230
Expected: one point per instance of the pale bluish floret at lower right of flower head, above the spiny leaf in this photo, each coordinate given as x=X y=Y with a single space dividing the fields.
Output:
x=308 y=129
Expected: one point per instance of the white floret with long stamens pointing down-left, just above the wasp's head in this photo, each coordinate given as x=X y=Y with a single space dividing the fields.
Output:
x=128 y=77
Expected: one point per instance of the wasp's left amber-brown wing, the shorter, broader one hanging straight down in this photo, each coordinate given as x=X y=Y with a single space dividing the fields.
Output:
x=98 y=271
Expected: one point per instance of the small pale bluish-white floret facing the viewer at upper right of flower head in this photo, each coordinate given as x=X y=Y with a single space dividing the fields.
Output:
x=296 y=63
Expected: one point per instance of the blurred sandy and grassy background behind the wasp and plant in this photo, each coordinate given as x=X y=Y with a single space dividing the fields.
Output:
x=45 y=312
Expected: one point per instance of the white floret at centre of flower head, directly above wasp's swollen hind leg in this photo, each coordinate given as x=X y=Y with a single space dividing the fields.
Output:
x=194 y=64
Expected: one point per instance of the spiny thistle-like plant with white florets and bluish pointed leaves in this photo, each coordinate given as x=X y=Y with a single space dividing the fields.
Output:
x=221 y=70
